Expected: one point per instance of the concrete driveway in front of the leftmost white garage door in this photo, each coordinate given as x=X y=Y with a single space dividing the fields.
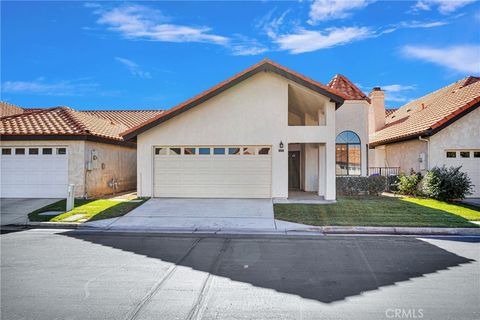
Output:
x=16 y=210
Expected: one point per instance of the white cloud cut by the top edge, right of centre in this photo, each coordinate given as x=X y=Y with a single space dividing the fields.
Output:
x=322 y=10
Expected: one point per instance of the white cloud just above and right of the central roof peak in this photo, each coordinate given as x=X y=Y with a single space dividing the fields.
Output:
x=309 y=40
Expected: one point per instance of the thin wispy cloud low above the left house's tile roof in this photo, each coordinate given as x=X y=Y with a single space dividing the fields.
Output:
x=58 y=88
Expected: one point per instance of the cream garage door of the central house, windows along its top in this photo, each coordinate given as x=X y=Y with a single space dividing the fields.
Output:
x=213 y=172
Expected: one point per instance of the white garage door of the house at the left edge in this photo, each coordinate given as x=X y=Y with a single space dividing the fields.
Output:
x=34 y=172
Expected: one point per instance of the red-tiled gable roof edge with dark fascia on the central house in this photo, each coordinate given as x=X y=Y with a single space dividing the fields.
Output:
x=264 y=65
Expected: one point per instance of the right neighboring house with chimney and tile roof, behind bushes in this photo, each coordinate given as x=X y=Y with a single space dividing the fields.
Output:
x=441 y=128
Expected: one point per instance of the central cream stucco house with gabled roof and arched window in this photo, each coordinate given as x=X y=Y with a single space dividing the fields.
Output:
x=259 y=134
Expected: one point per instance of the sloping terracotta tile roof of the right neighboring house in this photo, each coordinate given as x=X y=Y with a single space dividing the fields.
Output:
x=426 y=115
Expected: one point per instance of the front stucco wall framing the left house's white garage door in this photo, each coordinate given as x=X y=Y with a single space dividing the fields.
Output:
x=75 y=158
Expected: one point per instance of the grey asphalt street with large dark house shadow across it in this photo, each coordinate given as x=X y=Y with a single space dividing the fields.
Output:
x=48 y=274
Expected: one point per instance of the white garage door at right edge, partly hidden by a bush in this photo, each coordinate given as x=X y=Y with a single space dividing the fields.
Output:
x=470 y=162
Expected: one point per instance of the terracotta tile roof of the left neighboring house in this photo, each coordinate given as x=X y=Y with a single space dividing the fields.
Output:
x=65 y=121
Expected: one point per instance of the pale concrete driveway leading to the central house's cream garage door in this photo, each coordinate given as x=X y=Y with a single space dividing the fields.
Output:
x=196 y=214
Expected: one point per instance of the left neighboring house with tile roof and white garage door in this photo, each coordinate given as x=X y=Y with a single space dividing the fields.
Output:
x=44 y=150
